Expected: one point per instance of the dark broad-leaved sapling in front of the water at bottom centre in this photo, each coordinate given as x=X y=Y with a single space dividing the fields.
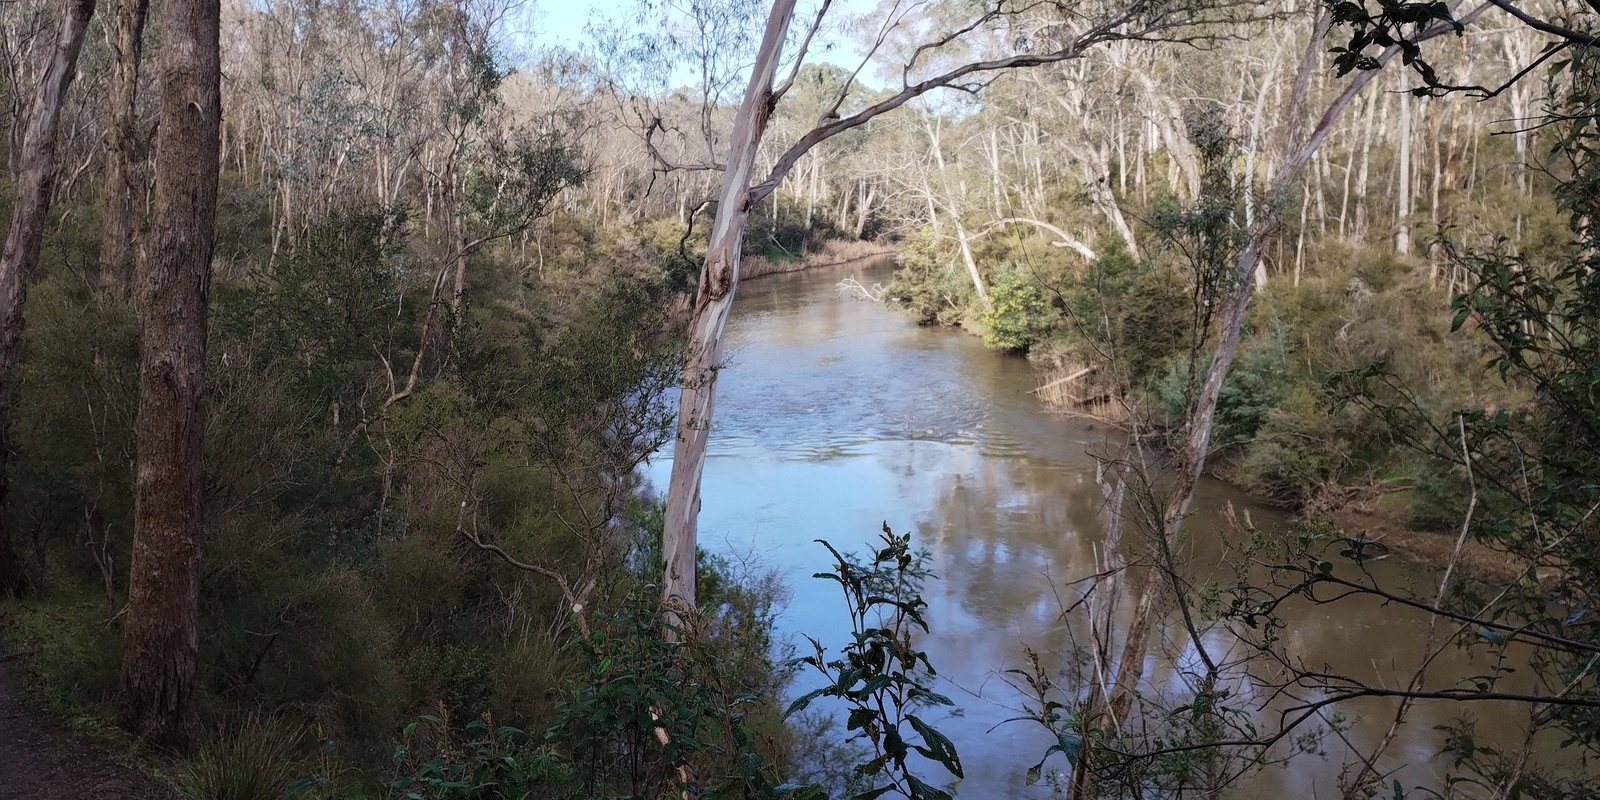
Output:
x=881 y=678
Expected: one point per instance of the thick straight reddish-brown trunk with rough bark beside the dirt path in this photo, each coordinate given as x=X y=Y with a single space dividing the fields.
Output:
x=161 y=636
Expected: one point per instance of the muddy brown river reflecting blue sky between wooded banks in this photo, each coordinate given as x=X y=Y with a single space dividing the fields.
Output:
x=836 y=415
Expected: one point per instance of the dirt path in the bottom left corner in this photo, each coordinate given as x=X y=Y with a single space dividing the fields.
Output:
x=42 y=761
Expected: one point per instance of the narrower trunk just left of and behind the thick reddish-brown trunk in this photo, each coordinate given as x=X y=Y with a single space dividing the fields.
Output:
x=118 y=230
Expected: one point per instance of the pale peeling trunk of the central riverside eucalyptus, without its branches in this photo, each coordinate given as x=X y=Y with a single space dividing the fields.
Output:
x=713 y=303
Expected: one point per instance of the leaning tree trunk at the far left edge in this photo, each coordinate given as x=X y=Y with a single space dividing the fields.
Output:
x=20 y=260
